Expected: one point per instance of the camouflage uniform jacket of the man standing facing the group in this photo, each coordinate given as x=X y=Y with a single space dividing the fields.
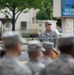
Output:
x=51 y=37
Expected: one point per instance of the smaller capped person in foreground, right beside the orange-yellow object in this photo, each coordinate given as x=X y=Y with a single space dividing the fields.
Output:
x=48 y=53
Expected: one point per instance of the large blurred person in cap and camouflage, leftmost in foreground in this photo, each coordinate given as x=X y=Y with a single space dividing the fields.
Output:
x=9 y=64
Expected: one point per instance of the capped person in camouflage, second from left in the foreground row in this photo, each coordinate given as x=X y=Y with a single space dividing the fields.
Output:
x=35 y=55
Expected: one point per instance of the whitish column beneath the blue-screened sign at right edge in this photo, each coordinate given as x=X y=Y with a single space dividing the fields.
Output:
x=68 y=25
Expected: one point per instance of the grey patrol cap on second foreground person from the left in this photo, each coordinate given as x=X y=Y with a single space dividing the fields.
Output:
x=35 y=46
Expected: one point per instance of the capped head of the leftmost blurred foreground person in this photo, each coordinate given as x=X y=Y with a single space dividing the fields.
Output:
x=12 y=41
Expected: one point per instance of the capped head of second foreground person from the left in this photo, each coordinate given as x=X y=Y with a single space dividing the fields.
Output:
x=35 y=49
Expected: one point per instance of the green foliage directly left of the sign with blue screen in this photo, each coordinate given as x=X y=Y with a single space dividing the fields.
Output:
x=46 y=10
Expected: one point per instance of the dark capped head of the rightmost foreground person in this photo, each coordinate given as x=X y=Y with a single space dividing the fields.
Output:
x=66 y=44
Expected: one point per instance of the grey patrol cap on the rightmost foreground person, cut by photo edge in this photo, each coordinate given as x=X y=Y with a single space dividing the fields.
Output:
x=66 y=40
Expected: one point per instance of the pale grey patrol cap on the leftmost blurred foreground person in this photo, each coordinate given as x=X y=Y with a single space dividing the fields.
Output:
x=12 y=38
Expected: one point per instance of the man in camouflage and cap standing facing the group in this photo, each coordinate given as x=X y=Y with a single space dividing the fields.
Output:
x=48 y=35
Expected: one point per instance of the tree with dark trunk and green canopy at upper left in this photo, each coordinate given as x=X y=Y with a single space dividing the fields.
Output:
x=17 y=7
